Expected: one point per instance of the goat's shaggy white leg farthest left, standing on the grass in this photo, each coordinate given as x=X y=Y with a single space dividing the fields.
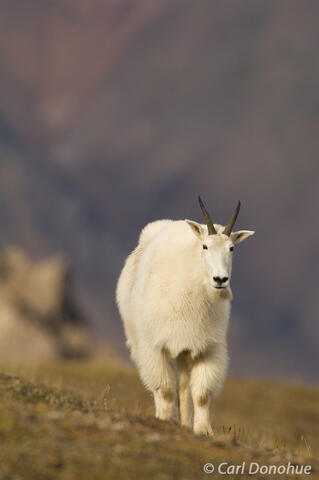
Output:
x=159 y=375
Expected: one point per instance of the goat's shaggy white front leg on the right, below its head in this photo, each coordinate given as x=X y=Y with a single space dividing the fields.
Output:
x=207 y=376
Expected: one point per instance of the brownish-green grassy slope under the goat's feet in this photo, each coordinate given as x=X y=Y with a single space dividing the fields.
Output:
x=84 y=421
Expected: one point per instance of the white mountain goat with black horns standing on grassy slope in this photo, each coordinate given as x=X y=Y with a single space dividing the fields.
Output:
x=174 y=298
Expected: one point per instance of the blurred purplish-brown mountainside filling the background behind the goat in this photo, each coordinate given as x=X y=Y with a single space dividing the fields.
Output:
x=116 y=113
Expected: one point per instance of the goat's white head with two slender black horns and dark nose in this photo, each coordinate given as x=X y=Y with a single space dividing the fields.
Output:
x=217 y=246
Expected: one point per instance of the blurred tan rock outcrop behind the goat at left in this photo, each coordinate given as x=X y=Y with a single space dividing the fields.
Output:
x=38 y=319
